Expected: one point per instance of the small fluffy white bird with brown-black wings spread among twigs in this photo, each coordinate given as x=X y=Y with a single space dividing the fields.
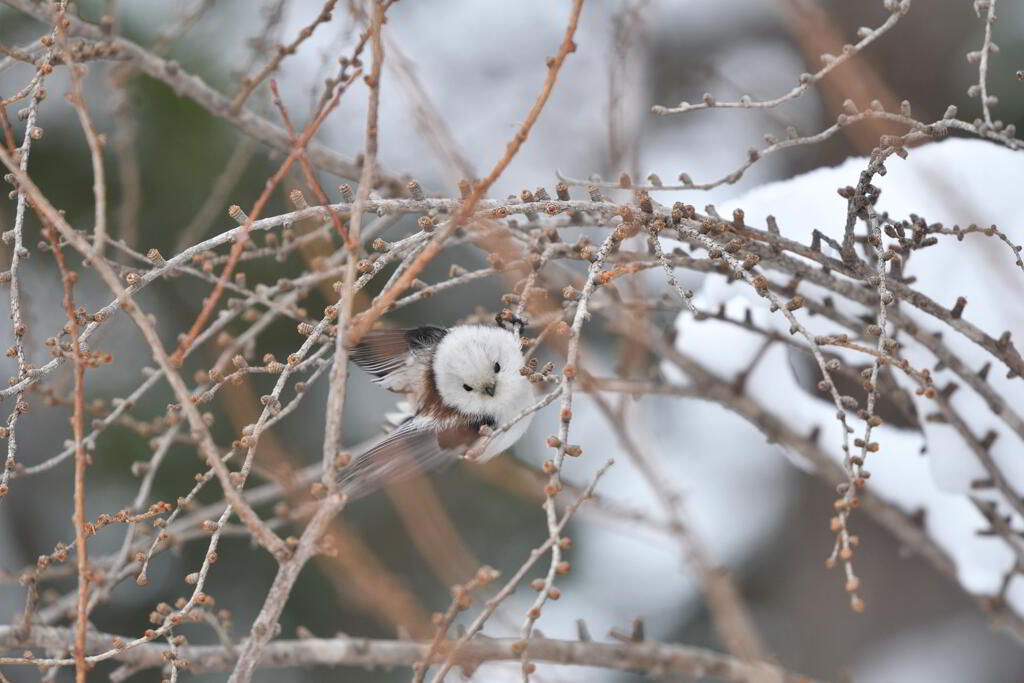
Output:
x=458 y=380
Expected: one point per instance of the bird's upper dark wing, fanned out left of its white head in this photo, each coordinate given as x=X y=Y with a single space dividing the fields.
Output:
x=390 y=356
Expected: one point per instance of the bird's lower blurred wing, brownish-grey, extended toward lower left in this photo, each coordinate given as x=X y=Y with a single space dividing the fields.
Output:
x=415 y=448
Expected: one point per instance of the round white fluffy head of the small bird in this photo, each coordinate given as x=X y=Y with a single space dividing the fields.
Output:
x=477 y=370
